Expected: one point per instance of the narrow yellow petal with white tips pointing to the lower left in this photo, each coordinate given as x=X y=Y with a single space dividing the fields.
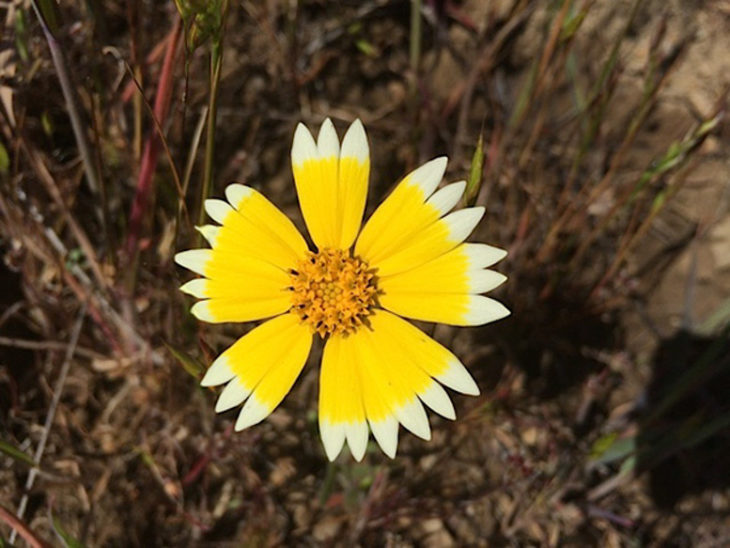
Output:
x=261 y=368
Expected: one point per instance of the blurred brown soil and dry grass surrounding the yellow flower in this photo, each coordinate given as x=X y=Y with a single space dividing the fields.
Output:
x=594 y=133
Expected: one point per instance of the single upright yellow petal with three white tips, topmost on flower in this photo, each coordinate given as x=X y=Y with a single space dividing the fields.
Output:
x=331 y=182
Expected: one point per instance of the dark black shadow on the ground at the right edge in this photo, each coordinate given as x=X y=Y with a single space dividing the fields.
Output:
x=685 y=429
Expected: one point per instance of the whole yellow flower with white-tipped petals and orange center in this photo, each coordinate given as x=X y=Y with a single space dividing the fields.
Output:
x=408 y=260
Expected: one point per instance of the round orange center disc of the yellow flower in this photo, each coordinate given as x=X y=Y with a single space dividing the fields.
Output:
x=332 y=291
